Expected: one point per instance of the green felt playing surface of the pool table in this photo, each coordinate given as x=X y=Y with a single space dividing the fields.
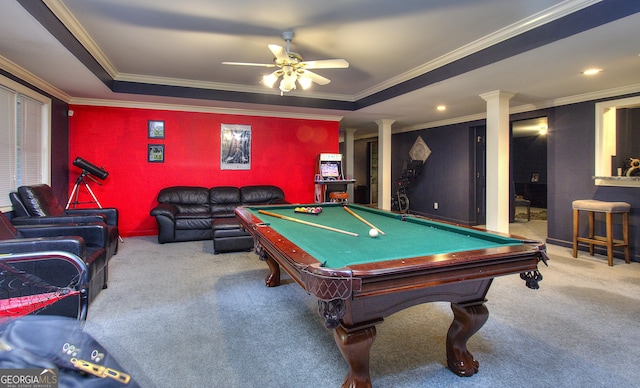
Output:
x=405 y=237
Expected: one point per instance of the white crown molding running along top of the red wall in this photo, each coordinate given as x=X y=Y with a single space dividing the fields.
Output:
x=201 y=109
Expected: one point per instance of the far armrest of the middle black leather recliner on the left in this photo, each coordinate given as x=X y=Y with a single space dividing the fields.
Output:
x=93 y=234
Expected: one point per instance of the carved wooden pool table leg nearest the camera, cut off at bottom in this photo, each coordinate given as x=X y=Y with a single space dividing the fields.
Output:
x=355 y=348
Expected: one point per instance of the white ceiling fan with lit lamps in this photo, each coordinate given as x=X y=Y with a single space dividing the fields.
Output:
x=292 y=68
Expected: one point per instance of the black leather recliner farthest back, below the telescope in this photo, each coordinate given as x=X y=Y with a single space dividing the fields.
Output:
x=37 y=205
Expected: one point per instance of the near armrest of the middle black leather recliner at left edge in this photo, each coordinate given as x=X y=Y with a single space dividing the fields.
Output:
x=70 y=244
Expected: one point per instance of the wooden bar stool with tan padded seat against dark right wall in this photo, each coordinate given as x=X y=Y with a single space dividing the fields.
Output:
x=592 y=206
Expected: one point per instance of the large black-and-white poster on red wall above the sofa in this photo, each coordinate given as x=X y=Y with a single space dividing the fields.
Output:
x=235 y=147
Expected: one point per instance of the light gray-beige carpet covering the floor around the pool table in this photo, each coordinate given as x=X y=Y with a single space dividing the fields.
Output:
x=176 y=315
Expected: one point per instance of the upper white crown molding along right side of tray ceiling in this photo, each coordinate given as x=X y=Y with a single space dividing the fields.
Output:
x=548 y=15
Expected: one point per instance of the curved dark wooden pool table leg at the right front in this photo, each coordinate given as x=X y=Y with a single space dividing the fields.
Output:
x=467 y=320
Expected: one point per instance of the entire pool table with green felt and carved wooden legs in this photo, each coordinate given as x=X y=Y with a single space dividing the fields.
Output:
x=358 y=280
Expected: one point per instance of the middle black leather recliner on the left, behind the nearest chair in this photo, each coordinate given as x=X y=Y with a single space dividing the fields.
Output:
x=87 y=241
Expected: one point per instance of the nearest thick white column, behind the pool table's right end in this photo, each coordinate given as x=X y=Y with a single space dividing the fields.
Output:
x=497 y=206
